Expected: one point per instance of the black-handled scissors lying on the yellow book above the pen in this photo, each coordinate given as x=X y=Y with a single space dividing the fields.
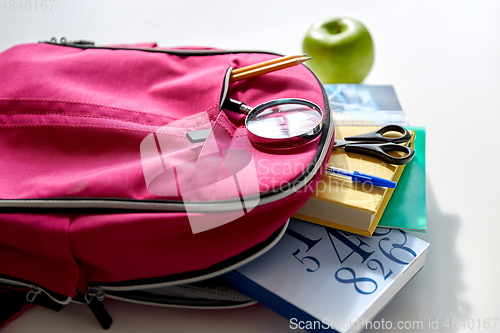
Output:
x=377 y=145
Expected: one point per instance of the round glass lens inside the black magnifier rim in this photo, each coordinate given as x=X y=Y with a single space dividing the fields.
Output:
x=284 y=121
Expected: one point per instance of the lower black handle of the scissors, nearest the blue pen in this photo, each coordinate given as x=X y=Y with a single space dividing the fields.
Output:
x=382 y=150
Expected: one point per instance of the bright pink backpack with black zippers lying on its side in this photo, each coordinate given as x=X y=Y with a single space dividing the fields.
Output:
x=102 y=192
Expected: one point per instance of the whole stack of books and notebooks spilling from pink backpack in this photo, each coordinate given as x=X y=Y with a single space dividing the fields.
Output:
x=347 y=251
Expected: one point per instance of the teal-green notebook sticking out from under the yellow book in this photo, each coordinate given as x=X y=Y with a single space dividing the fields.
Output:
x=407 y=208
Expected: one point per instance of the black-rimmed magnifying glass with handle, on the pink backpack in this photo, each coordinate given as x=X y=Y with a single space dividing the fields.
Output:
x=281 y=123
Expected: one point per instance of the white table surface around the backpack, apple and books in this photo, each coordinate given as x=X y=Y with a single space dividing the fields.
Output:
x=443 y=58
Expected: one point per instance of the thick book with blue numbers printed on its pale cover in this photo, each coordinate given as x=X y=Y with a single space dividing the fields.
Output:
x=322 y=278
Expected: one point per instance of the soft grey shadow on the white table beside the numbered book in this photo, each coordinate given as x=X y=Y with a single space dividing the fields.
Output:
x=431 y=301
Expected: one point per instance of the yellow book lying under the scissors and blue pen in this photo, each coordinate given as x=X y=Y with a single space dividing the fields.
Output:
x=346 y=205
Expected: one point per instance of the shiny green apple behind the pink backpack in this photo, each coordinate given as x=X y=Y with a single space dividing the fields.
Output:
x=341 y=50
